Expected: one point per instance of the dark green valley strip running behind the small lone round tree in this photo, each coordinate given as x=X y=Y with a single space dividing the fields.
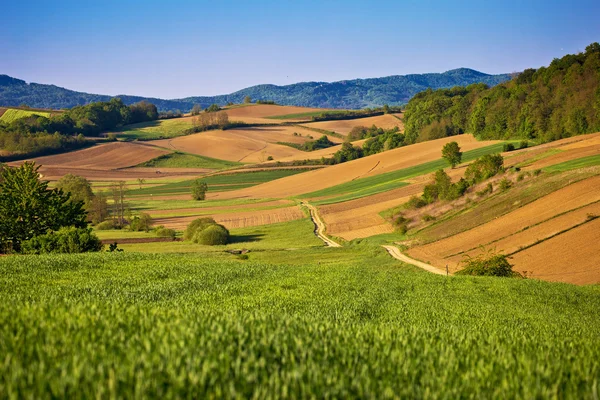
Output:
x=235 y=180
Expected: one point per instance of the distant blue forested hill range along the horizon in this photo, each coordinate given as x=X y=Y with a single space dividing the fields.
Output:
x=352 y=94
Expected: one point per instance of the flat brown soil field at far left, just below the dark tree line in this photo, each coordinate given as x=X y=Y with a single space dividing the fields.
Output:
x=109 y=156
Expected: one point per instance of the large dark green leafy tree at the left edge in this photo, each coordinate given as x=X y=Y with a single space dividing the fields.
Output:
x=28 y=208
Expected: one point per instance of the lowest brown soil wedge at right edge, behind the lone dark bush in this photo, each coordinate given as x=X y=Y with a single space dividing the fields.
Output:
x=572 y=257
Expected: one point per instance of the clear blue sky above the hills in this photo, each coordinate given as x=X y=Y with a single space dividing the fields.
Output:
x=178 y=49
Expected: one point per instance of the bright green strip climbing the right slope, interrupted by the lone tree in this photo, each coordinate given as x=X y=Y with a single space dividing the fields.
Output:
x=391 y=180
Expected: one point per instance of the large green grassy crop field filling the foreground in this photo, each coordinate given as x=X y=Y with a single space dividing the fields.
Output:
x=316 y=322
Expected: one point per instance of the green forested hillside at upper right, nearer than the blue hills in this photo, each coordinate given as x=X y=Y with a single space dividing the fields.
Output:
x=546 y=104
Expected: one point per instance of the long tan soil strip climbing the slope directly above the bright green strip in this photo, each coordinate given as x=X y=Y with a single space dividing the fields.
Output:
x=368 y=166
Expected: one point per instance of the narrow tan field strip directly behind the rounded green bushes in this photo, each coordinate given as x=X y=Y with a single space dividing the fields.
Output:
x=241 y=219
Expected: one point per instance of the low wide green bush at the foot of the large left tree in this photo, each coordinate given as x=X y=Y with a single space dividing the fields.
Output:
x=66 y=240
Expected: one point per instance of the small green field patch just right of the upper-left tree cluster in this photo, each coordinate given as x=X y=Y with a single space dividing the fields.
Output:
x=152 y=130
